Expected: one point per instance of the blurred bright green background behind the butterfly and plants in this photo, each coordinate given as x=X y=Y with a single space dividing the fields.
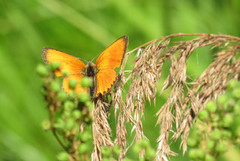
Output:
x=84 y=28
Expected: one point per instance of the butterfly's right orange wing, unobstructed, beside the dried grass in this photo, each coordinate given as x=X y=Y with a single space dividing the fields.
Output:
x=109 y=59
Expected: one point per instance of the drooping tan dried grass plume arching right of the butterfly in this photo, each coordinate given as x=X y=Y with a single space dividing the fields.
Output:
x=186 y=98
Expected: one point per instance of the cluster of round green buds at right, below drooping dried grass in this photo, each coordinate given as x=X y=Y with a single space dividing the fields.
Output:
x=210 y=138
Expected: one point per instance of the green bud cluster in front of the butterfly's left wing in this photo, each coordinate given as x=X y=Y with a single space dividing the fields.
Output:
x=66 y=117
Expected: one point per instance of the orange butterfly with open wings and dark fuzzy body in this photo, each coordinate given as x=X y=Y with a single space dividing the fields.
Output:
x=102 y=73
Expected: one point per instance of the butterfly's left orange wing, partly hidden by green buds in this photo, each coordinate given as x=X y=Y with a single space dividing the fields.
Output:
x=70 y=63
